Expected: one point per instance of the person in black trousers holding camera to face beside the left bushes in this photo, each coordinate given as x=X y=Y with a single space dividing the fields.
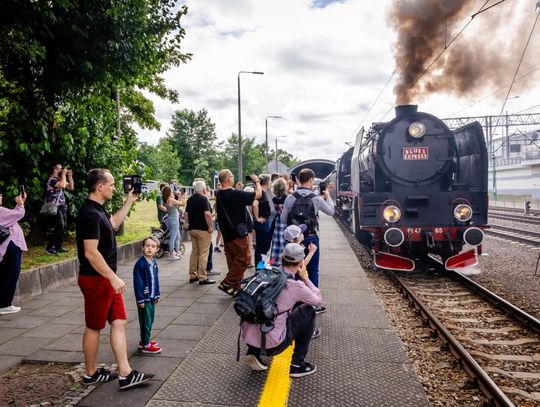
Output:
x=60 y=179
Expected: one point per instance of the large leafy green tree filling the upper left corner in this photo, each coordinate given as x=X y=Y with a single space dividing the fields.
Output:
x=61 y=64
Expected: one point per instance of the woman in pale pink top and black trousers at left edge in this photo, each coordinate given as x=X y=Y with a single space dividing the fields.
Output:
x=12 y=244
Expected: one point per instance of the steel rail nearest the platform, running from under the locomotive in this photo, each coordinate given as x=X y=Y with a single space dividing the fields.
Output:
x=485 y=383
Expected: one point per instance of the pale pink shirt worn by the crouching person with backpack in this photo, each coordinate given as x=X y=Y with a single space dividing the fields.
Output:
x=295 y=291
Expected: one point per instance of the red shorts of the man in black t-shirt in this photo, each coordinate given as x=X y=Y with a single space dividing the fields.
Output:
x=101 y=303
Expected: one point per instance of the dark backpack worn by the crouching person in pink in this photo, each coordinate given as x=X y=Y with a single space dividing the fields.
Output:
x=256 y=301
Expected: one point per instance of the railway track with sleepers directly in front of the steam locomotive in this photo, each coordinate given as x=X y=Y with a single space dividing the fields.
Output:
x=497 y=343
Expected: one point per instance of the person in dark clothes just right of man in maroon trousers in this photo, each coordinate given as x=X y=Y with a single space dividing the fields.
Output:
x=262 y=221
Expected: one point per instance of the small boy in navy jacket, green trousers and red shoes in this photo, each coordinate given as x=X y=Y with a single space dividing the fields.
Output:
x=146 y=286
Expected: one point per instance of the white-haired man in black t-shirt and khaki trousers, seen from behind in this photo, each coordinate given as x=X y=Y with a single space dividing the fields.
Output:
x=199 y=216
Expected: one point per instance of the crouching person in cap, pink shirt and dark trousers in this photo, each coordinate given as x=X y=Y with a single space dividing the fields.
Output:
x=295 y=321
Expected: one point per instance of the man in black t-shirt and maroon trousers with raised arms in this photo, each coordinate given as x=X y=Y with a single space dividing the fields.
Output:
x=231 y=207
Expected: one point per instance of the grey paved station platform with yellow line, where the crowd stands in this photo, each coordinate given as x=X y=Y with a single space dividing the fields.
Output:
x=360 y=361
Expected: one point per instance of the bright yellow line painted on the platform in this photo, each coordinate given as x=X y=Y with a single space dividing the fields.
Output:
x=276 y=389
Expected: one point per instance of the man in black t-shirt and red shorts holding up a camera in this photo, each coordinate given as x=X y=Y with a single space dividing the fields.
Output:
x=101 y=287
